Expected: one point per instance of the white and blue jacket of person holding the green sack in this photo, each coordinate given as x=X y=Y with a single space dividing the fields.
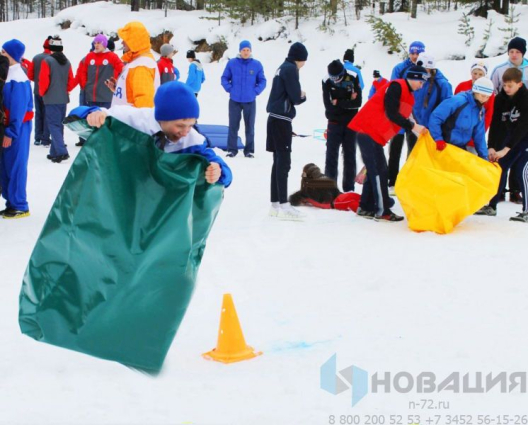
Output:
x=142 y=119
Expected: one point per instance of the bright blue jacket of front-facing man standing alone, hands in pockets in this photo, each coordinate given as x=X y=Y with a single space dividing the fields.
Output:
x=243 y=79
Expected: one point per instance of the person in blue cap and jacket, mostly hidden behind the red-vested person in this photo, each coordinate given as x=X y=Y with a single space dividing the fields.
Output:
x=396 y=144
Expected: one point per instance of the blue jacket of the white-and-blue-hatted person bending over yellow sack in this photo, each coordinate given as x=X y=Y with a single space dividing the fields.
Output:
x=469 y=124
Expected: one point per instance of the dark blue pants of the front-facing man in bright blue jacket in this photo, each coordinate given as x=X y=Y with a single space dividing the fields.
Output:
x=235 y=111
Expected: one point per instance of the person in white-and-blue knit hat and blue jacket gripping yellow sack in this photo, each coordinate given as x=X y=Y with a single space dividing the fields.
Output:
x=461 y=118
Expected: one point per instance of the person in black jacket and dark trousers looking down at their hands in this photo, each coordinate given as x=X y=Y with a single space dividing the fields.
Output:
x=342 y=99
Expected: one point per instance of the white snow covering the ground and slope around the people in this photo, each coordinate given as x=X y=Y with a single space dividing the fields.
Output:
x=380 y=296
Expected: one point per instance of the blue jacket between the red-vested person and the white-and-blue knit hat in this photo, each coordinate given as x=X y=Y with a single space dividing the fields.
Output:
x=440 y=91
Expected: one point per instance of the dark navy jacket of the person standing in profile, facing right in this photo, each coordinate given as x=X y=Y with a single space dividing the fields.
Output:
x=285 y=91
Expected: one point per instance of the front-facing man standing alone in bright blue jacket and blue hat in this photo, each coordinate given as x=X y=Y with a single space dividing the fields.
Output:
x=244 y=80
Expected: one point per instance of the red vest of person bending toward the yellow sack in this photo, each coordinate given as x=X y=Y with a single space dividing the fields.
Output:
x=371 y=119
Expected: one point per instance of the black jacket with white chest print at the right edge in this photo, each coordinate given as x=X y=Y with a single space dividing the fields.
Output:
x=509 y=124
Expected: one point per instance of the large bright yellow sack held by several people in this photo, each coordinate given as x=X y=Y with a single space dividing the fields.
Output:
x=439 y=189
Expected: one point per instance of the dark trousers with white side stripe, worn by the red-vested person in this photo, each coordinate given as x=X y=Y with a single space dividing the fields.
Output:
x=375 y=195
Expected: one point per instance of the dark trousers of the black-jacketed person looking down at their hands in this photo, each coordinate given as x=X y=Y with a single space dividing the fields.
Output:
x=340 y=135
